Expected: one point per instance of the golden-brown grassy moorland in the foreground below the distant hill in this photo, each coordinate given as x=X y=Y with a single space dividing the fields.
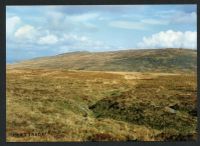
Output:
x=80 y=105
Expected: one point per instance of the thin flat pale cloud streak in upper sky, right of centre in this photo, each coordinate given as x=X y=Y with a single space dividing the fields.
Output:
x=127 y=25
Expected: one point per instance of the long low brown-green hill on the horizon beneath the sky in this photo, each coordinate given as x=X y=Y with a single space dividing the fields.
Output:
x=156 y=60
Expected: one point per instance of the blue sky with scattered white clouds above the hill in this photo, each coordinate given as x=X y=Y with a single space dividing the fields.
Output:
x=36 y=31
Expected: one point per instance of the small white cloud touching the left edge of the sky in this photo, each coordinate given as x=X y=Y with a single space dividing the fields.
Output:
x=11 y=24
